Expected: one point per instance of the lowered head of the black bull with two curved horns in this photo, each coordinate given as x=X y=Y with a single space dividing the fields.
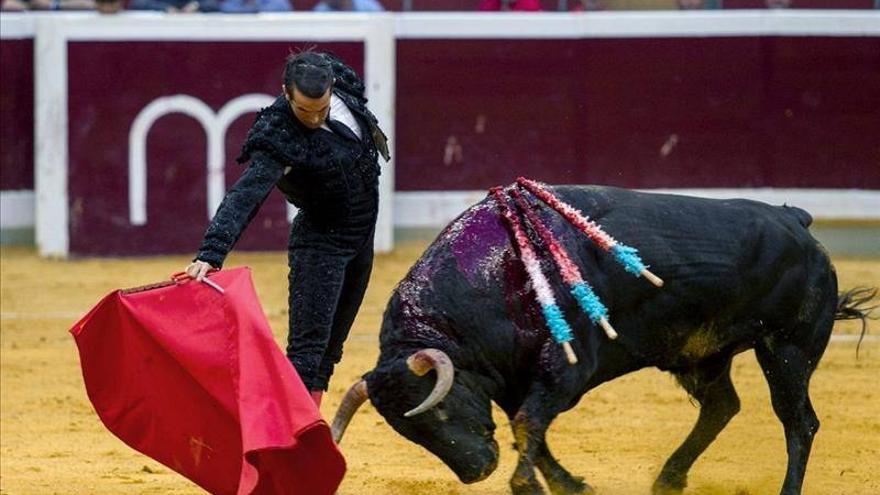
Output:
x=454 y=421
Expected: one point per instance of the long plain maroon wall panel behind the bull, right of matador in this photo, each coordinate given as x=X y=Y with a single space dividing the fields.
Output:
x=733 y=112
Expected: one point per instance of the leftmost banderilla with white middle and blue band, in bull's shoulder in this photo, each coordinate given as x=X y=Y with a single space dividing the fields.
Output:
x=559 y=328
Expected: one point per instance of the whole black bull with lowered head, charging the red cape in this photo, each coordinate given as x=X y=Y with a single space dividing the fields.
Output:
x=739 y=275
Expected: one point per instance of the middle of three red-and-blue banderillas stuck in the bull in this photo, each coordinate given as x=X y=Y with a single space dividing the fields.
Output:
x=571 y=274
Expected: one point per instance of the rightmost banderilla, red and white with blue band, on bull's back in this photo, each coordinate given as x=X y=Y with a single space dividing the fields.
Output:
x=625 y=255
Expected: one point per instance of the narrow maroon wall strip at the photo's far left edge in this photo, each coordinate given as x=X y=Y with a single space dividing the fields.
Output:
x=16 y=114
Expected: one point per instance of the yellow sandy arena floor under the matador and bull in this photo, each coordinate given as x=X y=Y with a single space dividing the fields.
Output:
x=51 y=441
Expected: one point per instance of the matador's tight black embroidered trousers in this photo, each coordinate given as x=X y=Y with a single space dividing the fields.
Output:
x=327 y=281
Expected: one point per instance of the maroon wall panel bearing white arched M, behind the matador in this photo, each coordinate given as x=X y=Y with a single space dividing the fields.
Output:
x=109 y=84
